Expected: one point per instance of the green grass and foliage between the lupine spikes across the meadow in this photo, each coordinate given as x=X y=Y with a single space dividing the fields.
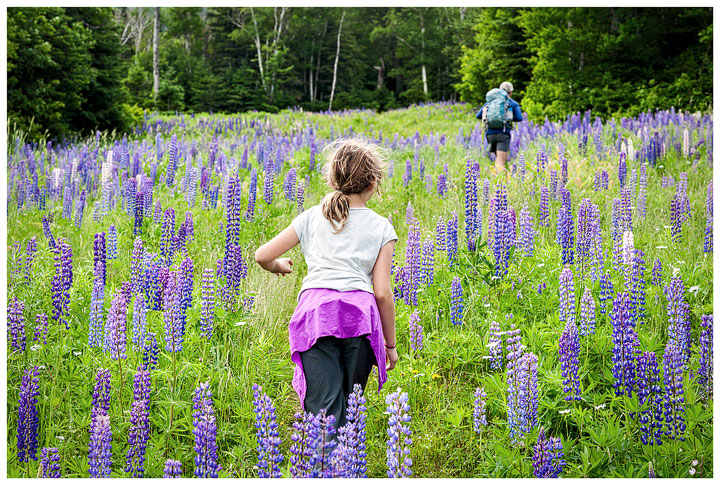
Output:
x=252 y=347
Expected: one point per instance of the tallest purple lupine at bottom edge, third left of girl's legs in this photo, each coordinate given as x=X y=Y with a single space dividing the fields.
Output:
x=139 y=423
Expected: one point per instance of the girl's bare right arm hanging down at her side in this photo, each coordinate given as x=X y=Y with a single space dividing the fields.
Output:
x=385 y=301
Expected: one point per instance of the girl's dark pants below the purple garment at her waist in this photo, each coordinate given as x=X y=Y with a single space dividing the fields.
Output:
x=332 y=366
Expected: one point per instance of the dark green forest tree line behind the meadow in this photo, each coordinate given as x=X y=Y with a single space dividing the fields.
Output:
x=77 y=69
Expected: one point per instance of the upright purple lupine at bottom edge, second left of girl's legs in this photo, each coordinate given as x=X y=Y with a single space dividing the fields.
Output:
x=205 y=431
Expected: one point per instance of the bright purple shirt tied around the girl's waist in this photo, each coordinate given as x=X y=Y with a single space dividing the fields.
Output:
x=323 y=312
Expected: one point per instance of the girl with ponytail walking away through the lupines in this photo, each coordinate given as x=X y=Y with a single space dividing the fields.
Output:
x=344 y=322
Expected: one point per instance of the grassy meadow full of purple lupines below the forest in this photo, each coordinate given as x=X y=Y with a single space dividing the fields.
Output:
x=572 y=296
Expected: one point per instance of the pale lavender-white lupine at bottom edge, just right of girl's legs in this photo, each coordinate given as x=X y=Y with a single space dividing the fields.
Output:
x=398 y=444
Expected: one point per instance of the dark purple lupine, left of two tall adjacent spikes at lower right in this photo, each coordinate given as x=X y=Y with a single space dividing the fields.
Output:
x=649 y=392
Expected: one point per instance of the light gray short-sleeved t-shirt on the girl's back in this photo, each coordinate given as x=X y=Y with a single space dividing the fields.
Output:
x=342 y=261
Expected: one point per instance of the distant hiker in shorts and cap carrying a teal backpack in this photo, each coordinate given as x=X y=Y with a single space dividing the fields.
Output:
x=498 y=114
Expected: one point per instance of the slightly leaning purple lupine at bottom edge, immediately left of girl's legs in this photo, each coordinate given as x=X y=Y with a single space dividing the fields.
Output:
x=268 y=438
